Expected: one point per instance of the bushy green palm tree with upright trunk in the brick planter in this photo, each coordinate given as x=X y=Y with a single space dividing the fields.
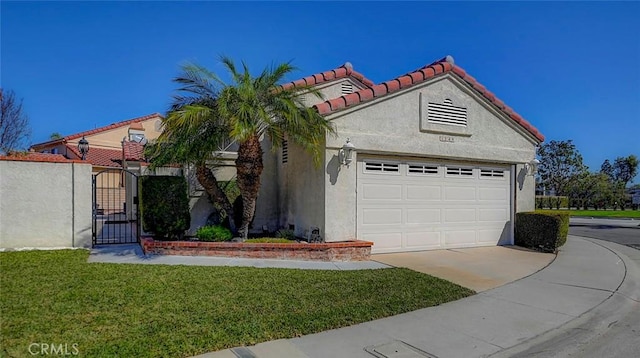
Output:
x=246 y=110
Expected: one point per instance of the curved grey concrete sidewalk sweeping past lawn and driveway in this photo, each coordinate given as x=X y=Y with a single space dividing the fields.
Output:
x=587 y=276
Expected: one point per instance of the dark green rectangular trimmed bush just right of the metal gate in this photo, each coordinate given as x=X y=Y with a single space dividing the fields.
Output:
x=164 y=205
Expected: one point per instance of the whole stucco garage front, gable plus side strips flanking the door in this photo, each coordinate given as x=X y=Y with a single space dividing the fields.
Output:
x=397 y=125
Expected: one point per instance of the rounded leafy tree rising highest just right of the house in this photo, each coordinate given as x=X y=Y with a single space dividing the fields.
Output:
x=560 y=162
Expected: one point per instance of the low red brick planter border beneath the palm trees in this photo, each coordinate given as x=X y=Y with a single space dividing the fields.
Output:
x=329 y=251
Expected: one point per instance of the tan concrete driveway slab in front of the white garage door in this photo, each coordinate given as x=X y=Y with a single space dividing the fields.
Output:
x=478 y=268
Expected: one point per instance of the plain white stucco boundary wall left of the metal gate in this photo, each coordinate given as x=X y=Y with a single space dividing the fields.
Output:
x=45 y=204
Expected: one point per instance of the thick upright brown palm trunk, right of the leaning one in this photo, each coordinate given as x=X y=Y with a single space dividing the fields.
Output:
x=249 y=168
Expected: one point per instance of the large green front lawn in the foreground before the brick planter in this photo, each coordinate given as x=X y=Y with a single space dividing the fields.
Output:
x=56 y=297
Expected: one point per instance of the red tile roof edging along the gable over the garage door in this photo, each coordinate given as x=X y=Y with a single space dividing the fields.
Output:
x=445 y=65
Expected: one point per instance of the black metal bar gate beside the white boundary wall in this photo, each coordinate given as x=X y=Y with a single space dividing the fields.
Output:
x=115 y=207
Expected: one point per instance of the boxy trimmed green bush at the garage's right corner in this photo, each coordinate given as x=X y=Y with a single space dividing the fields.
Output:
x=542 y=230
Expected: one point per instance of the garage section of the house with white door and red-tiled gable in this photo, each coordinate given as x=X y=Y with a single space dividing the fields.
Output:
x=428 y=160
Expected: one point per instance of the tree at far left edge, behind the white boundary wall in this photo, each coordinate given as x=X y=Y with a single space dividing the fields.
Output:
x=14 y=123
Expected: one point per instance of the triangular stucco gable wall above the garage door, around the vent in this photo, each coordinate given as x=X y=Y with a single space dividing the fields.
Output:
x=392 y=124
